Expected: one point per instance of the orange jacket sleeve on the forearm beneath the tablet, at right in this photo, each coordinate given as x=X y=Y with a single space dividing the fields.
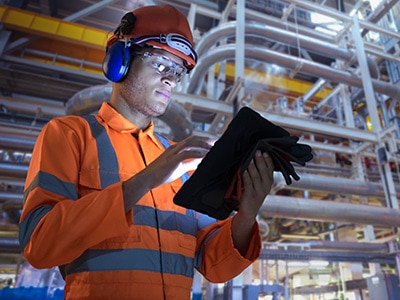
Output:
x=216 y=257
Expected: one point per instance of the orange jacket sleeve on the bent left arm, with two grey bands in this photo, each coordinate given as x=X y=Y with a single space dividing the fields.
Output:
x=57 y=224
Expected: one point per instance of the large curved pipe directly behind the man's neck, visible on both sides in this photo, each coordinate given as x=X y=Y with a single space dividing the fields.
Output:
x=90 y=99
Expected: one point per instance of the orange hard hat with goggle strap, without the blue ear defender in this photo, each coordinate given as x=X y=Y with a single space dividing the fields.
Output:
x=161 y=26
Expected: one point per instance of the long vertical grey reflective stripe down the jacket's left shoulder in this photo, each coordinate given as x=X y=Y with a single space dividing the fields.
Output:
x=108 y=163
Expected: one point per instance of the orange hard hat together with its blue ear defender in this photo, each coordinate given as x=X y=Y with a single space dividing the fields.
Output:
x=161 y=26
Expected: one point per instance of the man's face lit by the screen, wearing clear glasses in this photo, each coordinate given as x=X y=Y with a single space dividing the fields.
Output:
x=146 y=89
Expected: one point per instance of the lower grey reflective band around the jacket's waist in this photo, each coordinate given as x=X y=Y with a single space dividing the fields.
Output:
x=132 y=259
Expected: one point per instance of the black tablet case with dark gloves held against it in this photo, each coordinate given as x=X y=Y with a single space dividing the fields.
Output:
x=215 y=187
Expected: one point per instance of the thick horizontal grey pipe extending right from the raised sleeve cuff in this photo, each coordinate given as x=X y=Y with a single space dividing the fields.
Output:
x=329 y=211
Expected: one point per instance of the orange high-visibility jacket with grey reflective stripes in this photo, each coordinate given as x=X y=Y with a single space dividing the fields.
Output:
x=73 y=216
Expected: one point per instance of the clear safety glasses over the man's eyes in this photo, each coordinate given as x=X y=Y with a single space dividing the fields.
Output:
x=164 y=65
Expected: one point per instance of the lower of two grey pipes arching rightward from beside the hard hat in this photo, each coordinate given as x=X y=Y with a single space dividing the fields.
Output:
x=224 y=52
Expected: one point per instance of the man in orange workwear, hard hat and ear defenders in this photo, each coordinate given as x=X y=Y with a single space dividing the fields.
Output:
x=99 y=190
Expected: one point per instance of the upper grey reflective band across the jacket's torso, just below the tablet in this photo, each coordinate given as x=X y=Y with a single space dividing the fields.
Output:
x=167 y=220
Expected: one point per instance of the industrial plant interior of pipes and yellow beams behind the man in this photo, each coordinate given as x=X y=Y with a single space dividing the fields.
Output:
x=328 y=71
